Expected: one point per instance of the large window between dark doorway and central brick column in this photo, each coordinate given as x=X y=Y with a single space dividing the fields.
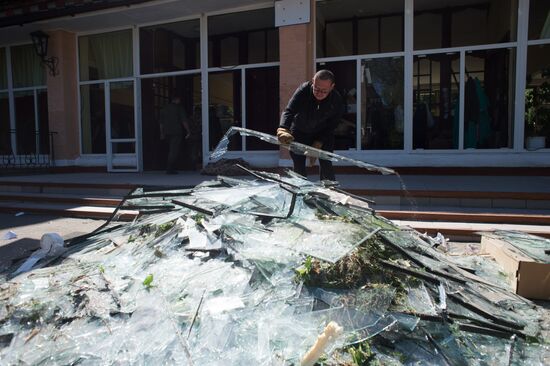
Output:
x=243 y=81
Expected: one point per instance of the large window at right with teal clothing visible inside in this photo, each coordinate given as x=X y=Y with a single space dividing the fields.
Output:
x=485 y=115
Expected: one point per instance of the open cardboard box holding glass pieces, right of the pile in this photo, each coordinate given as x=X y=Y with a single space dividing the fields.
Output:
x=529 y=274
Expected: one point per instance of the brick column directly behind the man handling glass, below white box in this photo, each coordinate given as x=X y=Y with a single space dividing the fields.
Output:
x=296 y=63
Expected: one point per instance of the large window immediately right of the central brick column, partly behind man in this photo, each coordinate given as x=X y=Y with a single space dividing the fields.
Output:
x=374 y=95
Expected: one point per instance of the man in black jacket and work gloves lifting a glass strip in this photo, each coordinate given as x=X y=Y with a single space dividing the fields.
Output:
x=310 y=118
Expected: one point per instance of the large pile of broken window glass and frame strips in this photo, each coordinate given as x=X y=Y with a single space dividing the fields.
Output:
x=253 y=271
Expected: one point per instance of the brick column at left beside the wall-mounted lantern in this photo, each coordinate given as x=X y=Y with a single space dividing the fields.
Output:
x=62 y=96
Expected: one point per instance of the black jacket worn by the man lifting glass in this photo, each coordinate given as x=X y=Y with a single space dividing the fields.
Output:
x=306 y=114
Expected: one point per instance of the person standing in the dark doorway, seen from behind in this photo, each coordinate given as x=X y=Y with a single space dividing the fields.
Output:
x=173 y=128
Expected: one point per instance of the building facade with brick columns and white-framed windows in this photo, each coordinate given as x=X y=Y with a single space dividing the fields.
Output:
x=426 y=83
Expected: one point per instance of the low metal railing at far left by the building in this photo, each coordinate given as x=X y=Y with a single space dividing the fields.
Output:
x=26 y=150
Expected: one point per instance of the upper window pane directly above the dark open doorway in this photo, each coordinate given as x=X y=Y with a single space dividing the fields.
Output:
x=170 y=47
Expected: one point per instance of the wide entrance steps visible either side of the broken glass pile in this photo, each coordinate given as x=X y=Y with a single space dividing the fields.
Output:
x=457 y=213
